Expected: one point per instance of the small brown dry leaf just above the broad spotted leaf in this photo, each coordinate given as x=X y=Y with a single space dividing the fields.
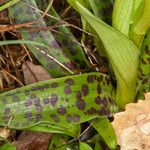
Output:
x=34 y=73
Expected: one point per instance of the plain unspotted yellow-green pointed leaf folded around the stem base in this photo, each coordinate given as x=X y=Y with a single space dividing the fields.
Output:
x=123 y=56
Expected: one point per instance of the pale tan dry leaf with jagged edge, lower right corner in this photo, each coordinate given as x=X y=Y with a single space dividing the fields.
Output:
x=133 y=125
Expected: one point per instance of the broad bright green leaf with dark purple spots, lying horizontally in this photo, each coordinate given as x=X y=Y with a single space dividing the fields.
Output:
x=63 y=102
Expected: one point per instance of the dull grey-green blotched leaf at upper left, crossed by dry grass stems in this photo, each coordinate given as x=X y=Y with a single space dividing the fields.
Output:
x=53 y=58
